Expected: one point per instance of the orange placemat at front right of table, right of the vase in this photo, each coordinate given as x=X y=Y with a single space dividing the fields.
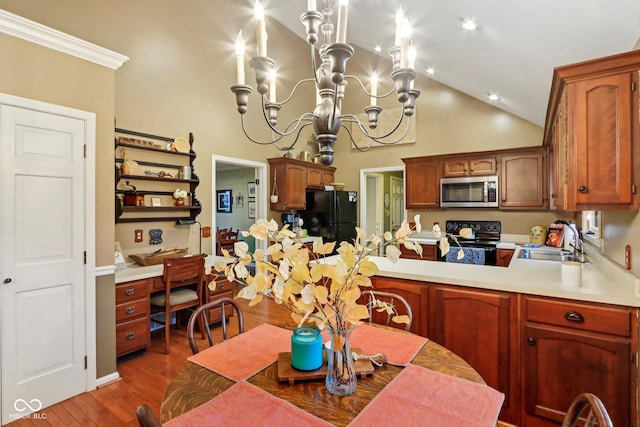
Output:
x=420 y=396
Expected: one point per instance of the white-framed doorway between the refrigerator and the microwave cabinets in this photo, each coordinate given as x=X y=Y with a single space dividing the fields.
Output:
x=382 y=205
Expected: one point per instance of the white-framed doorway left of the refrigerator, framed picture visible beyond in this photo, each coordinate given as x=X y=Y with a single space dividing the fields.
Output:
x=247 y=203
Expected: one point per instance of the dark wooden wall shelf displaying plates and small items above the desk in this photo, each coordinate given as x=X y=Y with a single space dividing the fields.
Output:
x=151 y=174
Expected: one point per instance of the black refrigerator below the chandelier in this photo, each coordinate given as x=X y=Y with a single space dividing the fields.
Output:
x=332 y=215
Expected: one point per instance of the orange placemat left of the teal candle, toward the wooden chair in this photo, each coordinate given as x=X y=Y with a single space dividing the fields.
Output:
x=246 y=354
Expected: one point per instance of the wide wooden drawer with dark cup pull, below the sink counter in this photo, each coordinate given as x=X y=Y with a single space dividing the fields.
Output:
x=588 y=317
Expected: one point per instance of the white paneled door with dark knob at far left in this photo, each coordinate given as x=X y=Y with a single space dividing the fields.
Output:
x=42 y=277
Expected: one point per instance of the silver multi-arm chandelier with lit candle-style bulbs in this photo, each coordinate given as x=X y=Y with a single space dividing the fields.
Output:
x=330 y=83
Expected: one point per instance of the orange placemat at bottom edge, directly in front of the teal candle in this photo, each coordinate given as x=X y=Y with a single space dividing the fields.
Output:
x=246 y=405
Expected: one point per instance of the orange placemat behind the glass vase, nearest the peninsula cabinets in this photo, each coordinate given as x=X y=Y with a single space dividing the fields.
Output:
x=400 y=348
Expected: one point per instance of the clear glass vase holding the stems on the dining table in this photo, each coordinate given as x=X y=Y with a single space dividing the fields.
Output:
x=341 y=372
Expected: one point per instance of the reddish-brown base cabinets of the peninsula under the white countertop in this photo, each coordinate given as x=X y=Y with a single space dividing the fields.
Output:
x=541 y=352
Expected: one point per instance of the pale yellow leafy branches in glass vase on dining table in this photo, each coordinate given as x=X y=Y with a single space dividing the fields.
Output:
x=317 y=290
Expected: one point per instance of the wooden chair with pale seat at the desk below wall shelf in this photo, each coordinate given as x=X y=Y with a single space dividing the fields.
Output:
x=183 y=282
